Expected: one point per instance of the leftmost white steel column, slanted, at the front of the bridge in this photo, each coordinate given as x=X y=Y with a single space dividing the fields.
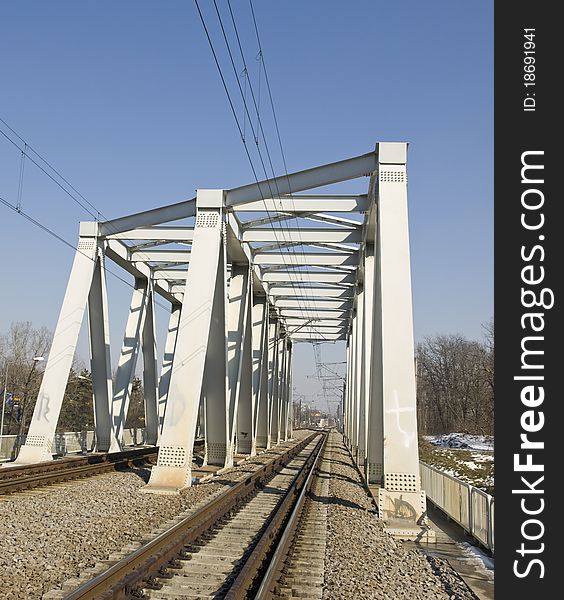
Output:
x=38 y=446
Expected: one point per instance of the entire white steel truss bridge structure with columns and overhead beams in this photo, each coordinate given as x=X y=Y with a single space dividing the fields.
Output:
x=248 y=272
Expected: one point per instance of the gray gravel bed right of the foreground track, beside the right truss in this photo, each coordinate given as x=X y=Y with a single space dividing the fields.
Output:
x=364 y=563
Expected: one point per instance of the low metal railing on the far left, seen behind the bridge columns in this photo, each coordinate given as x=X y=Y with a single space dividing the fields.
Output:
x=68 y=442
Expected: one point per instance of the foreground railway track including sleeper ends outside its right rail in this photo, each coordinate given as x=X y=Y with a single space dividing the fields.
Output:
x=233 y=547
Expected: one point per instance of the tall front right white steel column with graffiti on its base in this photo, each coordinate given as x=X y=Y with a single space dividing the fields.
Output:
x=401 y=498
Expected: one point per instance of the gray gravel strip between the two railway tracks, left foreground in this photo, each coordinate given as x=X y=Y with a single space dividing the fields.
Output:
x=52 y=534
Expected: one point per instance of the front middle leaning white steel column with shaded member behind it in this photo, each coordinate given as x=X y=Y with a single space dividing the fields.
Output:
x=201 y=346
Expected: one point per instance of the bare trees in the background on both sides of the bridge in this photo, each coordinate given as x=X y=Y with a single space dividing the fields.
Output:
x=455 y=384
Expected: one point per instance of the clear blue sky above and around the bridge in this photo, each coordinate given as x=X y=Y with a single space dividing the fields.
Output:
x=124 y=98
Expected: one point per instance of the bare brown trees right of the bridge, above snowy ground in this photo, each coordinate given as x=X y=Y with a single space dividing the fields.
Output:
x=455 y=384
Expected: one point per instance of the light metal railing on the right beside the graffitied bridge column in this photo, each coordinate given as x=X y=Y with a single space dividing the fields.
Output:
x=470 y=507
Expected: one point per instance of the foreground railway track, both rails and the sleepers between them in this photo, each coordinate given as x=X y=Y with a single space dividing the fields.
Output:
x=220 y=549
